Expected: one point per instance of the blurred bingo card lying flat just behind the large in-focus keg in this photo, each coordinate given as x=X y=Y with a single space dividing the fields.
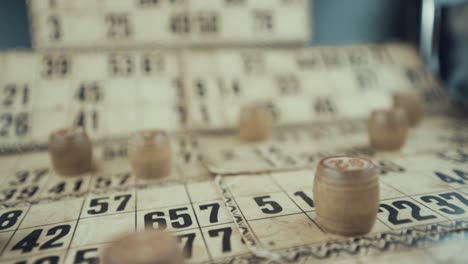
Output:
x=296 y=147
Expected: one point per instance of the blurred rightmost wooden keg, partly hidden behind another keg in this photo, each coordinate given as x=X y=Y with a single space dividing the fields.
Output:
x=412 y=103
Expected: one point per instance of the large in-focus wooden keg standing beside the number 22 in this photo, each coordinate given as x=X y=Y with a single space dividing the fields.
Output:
x=346 y=195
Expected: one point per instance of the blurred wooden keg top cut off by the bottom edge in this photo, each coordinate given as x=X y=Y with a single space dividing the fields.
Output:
x=152 y=246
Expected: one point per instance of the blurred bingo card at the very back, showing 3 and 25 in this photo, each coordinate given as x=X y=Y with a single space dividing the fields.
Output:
x=129 y=23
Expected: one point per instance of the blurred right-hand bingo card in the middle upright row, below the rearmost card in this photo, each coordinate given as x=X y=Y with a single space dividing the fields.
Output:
x=301 y=85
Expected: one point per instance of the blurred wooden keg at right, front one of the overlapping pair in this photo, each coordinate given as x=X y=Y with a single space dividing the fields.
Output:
x=388 y=129
